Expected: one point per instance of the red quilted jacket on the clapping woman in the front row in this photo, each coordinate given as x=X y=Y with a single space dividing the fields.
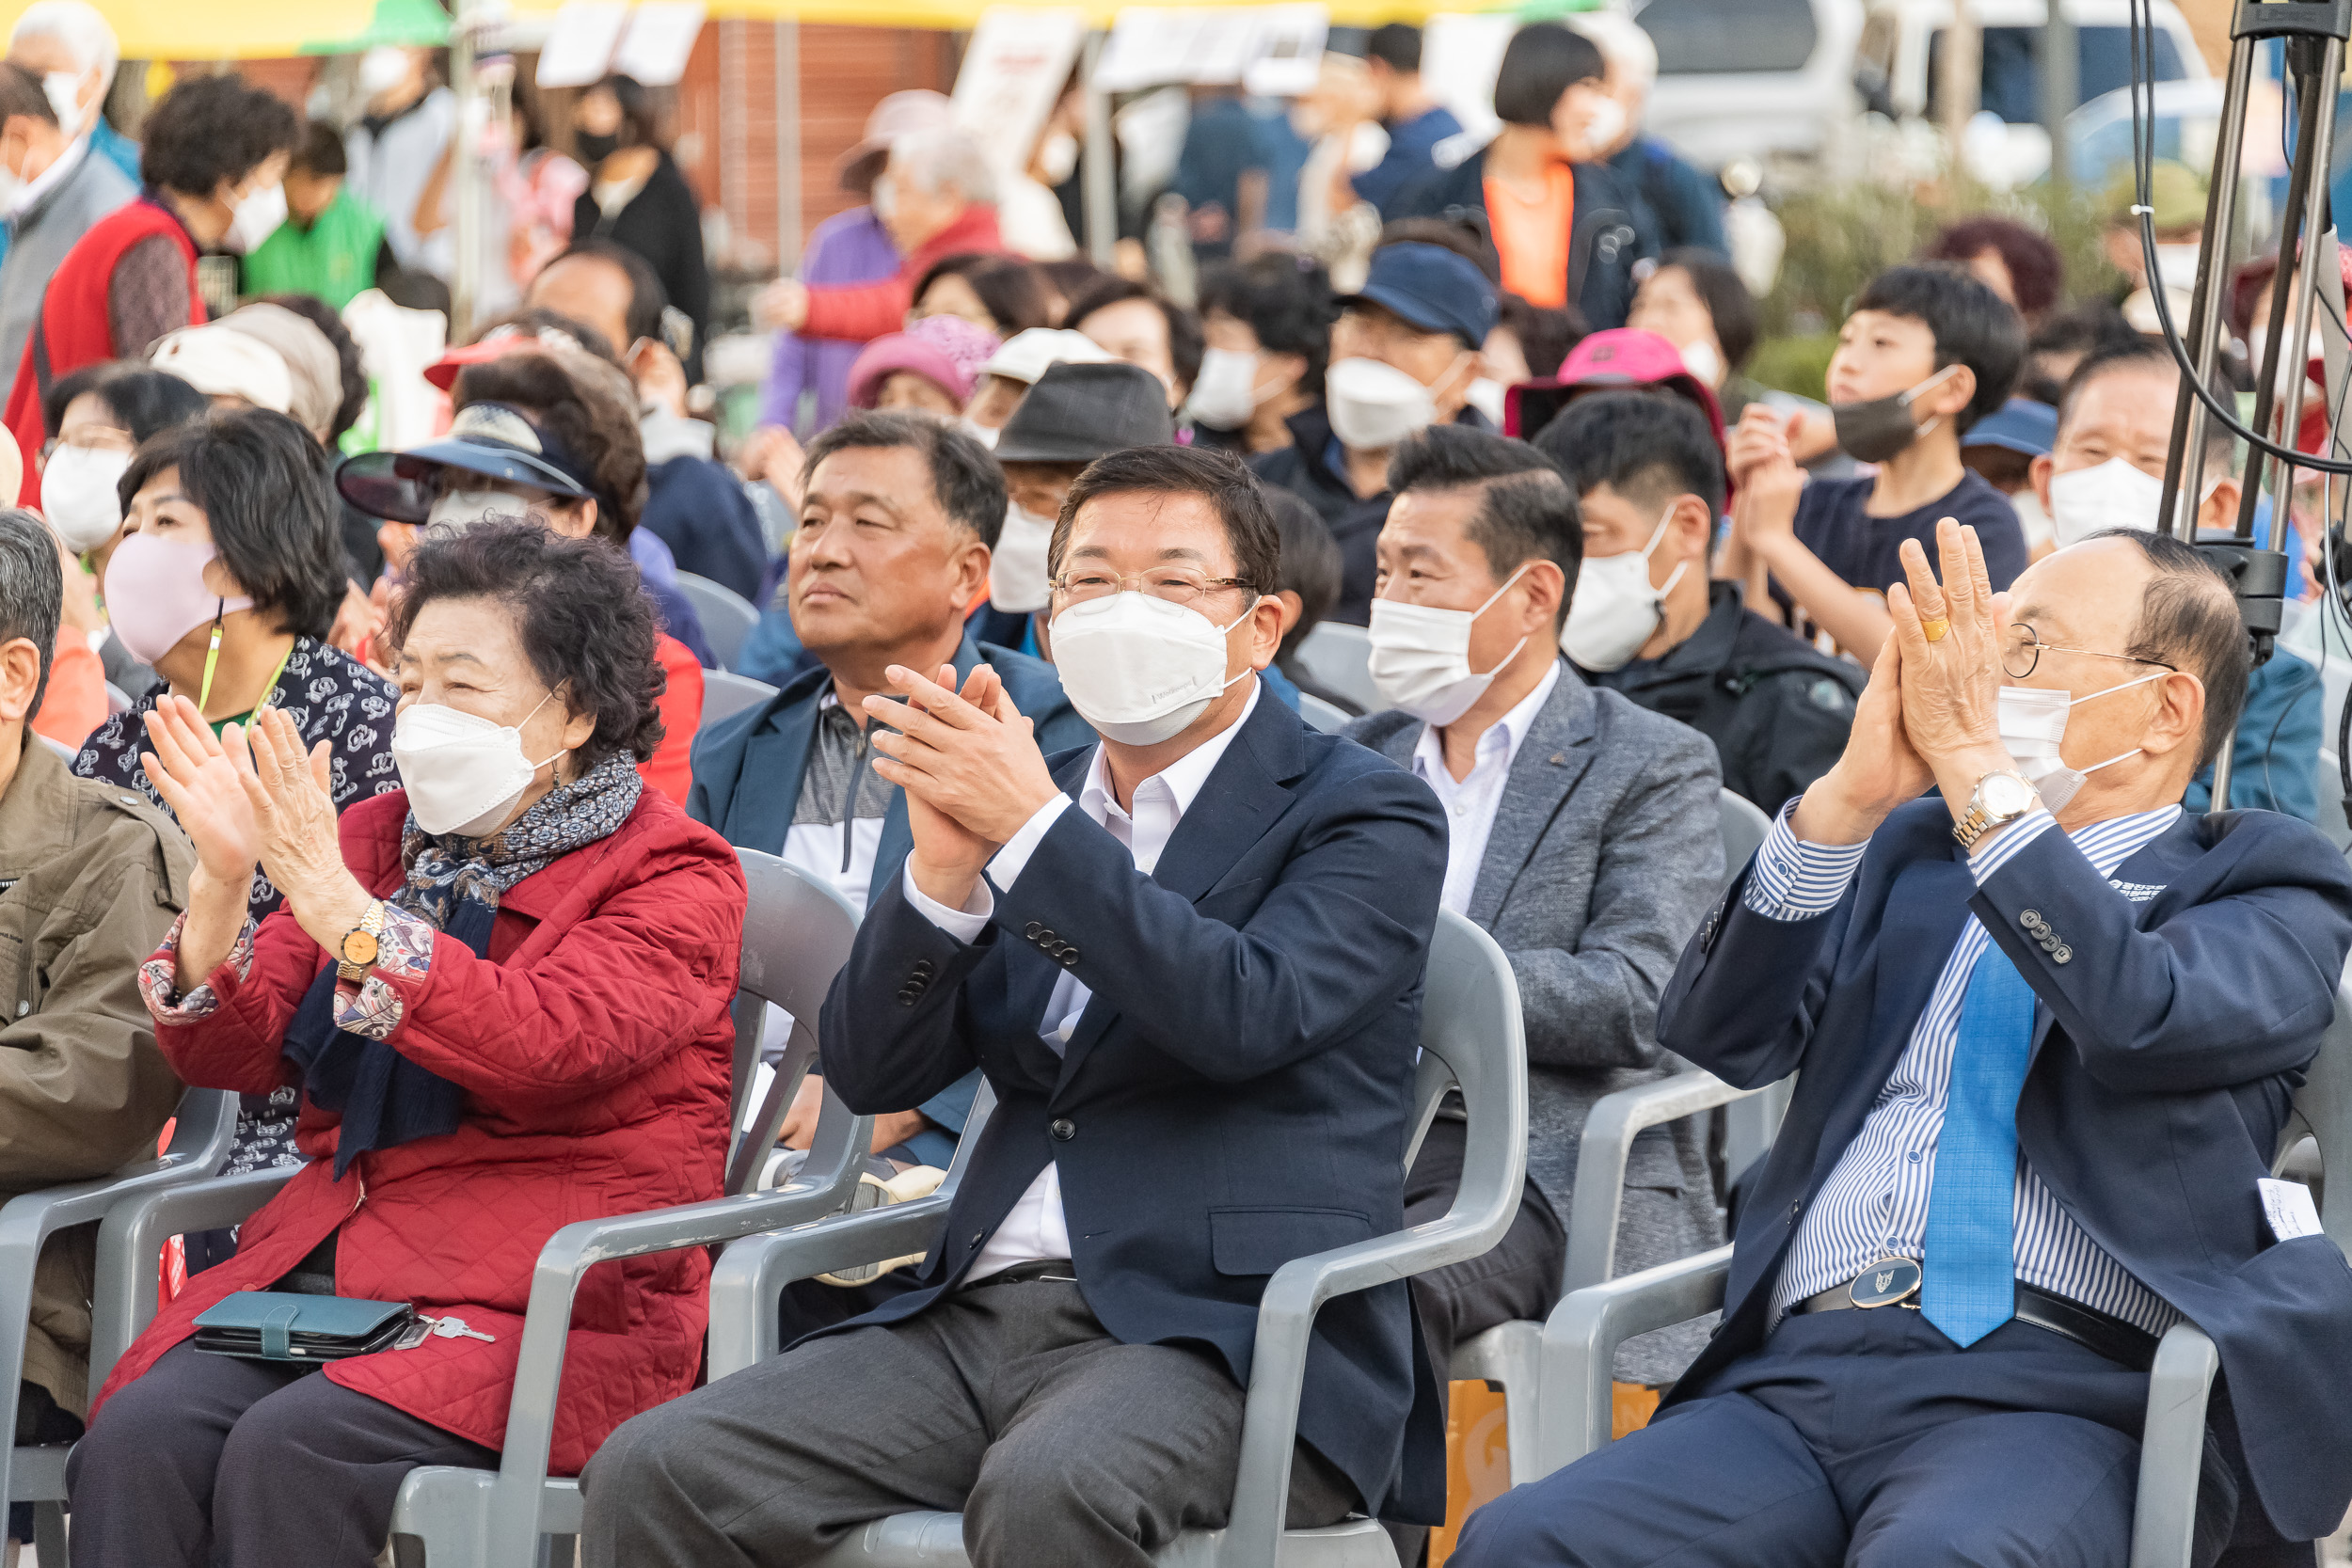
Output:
x=596 y=1054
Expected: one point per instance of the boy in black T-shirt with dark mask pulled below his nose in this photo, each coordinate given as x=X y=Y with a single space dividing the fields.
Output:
x=1923 y=359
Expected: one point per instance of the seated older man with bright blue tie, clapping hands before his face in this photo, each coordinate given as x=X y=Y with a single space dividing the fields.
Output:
x=2047 y=1031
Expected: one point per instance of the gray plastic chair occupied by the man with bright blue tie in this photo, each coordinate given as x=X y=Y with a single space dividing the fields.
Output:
x=1582 y=1339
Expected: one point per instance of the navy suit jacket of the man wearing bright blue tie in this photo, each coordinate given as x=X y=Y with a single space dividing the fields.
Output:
x=2167 y=1052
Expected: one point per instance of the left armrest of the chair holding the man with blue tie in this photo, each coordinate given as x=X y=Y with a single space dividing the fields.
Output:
x=1584 y=1334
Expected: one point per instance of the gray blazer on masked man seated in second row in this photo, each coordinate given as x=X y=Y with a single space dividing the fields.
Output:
x=1603 y=862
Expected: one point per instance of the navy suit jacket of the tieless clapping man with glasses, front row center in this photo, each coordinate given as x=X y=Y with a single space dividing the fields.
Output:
x=1236 y=1094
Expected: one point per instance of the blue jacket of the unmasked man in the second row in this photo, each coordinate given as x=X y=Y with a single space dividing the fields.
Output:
x=749 y=768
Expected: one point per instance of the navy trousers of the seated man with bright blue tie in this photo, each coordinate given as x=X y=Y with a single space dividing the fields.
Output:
x=1869 y=1440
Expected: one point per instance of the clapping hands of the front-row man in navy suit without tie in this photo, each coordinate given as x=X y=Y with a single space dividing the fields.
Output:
x=970 y=768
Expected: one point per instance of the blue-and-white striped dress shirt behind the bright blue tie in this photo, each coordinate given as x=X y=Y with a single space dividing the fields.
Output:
x=1876 y=1200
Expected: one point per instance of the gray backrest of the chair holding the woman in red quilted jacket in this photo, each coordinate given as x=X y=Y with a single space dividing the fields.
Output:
x=796 y=939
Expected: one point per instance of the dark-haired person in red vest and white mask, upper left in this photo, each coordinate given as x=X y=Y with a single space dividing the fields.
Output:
x=215 y=156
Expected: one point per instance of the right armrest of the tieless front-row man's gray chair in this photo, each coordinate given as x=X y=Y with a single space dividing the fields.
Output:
x=1278 y=1365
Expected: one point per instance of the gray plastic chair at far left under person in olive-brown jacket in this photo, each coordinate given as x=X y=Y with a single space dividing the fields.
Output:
x=206 y=1127
